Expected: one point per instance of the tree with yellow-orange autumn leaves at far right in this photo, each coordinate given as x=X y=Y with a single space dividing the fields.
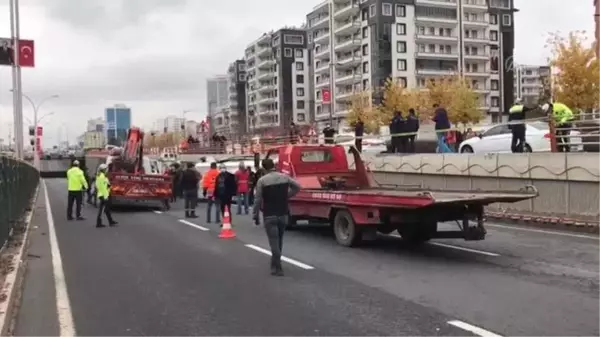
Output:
x=576 y=81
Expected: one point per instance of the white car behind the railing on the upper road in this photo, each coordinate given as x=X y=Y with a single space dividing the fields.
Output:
x=497 y=139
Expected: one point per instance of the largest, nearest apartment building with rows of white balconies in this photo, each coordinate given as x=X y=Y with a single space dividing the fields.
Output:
x=358 y=44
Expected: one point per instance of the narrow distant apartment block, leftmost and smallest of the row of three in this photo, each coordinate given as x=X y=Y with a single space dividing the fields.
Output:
x=230 y=117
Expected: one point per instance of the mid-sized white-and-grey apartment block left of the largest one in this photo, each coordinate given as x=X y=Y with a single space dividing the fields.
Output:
x=278 y=80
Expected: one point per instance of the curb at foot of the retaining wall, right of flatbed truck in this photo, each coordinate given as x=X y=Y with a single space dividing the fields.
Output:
x=547 y=221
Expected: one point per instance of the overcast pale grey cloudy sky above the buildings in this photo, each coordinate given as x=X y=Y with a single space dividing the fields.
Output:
x=155 y=55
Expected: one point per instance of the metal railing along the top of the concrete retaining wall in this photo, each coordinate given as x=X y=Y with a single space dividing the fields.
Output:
x=584 y=131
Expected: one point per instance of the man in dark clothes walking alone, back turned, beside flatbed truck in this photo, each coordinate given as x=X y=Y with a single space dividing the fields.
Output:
x=273 y=191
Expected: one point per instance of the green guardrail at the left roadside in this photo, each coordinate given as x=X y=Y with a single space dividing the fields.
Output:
x=18 y=183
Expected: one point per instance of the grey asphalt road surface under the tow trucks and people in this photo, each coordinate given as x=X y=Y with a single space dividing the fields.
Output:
x=159 y=275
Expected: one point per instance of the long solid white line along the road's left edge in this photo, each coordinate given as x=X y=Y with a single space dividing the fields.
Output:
x=63 y=306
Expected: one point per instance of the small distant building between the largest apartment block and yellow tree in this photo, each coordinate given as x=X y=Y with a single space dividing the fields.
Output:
x=530 y=82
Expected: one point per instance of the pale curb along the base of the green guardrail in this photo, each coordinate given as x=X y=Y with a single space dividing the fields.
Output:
x=14 y=280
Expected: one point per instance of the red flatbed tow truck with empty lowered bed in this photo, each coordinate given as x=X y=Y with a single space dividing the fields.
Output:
x=357 y=207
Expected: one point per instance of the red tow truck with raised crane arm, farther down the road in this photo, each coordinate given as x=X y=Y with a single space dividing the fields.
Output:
x=133 y=177
